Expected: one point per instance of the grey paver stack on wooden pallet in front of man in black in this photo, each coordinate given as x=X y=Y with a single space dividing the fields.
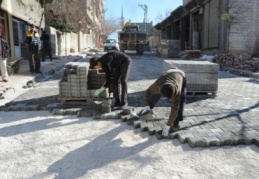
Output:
x=80 y=82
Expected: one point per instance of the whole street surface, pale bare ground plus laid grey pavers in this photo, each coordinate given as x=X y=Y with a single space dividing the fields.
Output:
x=38 y=144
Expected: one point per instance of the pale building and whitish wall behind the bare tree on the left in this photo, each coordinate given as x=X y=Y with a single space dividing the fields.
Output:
x=88 y=18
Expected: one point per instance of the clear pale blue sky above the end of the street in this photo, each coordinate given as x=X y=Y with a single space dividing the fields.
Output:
x=132 y=11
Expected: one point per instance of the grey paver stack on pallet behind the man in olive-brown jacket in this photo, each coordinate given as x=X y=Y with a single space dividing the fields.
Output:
x=202 y=76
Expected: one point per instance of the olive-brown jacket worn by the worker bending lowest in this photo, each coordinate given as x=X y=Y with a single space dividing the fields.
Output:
x=175 y=77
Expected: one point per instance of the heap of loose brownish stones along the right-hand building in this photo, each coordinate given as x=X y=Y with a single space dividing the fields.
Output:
x=242 y=62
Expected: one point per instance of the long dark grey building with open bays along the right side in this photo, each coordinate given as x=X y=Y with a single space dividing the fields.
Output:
x=214 y=25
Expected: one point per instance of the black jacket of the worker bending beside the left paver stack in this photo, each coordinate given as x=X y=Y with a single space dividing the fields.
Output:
x=110 y=62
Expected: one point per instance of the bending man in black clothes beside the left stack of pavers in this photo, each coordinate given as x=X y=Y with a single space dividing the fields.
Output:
x=116 y=66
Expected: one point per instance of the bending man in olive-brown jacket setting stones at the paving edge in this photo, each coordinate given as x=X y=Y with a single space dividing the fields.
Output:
x=172 y=85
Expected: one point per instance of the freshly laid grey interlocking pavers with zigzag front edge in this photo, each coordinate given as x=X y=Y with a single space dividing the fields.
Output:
x=231 y=118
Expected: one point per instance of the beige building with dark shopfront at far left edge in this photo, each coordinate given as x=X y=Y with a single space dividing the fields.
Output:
x=17 y=15
